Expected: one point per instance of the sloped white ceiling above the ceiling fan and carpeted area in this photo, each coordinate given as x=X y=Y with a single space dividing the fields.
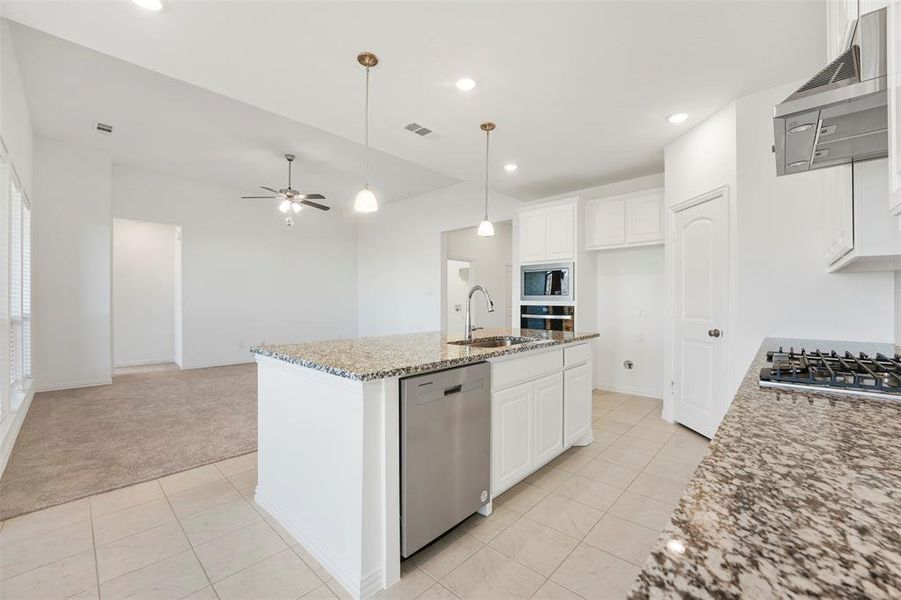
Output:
x=172 y=127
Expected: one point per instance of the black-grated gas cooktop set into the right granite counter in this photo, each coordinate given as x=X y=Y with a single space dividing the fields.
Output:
x=860 y=374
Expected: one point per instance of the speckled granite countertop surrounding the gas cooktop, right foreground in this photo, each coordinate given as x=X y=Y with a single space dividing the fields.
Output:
x=800 y=496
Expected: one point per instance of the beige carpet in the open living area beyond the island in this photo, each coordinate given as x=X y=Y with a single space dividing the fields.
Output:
x=75 y=443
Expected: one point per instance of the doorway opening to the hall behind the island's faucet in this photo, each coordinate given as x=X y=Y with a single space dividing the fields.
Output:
x=469 y=260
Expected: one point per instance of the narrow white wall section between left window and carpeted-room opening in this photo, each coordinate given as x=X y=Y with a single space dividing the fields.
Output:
x=71 y=265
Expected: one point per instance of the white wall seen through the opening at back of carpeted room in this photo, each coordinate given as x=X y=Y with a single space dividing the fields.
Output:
x=143 y=292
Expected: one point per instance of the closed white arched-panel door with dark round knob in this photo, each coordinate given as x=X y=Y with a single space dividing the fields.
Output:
x=700 y=264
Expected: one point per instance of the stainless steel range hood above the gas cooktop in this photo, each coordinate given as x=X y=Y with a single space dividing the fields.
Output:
x=840 y=115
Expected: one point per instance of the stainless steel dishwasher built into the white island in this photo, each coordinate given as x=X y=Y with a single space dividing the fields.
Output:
x=445 y=451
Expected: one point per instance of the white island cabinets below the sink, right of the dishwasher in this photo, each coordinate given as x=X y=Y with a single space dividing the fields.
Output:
x=538 y=418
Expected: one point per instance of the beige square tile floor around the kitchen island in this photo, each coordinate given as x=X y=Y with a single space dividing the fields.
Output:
x=578 y=528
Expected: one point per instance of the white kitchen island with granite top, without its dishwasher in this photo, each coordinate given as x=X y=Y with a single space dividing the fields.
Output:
x=329 y=433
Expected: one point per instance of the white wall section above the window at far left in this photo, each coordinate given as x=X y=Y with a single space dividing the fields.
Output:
x=15 y=121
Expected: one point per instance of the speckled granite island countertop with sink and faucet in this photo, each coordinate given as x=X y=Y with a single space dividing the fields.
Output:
x=370 y=358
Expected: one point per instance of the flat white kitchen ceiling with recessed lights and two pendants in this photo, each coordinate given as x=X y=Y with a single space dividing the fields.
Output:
x=580 y=91
